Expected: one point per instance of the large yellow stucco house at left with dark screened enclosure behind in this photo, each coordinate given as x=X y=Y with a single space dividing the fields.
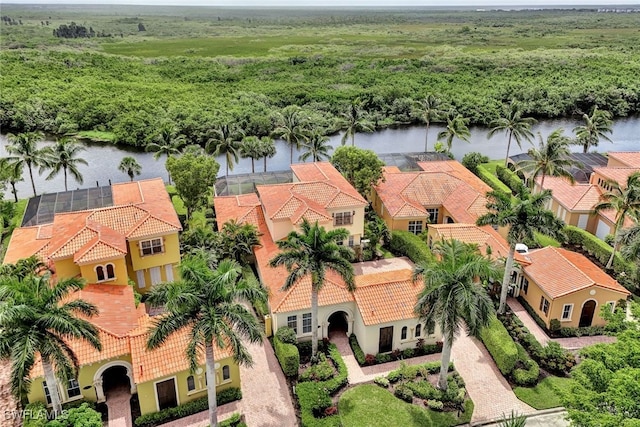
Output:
x=125 y=233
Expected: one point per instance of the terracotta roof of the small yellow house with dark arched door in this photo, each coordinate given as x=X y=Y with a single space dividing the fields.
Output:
x=559 y=272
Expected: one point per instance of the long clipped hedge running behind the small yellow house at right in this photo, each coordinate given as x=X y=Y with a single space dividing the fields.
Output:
x=624 y=271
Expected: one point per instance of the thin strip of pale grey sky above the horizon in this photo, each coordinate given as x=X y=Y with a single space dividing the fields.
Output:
x=266 y=3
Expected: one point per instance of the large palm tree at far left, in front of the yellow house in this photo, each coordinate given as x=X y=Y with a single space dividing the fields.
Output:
x=37 y=317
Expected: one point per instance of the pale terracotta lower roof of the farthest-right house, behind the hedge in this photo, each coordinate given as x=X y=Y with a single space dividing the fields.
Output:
x=574 y=197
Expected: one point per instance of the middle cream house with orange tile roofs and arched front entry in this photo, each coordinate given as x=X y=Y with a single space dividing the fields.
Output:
x=379 y=312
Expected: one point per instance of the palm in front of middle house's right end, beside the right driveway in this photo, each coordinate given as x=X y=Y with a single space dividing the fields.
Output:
x=452 y=297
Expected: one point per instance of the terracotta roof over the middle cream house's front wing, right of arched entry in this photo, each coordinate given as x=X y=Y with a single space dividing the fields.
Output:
x=386 y=297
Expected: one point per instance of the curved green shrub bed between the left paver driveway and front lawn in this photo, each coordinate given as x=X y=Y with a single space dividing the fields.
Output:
x=314 y=398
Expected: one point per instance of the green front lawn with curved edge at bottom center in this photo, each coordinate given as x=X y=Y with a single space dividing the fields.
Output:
x=370 y=405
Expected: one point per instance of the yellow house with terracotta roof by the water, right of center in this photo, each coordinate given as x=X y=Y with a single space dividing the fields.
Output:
x=444 y=192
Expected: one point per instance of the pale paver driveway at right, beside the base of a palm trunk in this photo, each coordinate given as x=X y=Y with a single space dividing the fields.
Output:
x=491 y=394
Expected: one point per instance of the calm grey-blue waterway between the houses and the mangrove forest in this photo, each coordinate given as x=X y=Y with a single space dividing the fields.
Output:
x=103 y=159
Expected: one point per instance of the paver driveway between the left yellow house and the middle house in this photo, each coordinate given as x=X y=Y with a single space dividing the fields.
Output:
x=266 y=401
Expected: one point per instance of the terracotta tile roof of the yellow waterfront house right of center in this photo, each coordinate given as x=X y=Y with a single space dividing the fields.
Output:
x=442 y=183
